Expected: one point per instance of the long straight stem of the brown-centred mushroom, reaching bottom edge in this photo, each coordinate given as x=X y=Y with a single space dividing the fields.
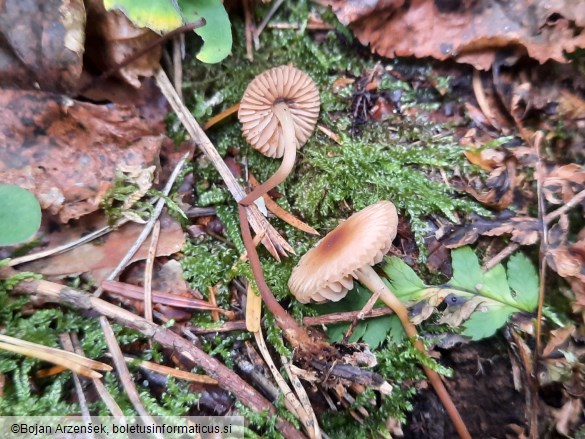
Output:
x=369 y=278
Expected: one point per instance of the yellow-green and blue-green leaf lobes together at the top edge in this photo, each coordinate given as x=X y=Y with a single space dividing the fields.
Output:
x=167 y=15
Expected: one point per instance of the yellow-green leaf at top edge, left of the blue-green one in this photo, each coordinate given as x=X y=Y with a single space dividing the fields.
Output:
x=158 y=15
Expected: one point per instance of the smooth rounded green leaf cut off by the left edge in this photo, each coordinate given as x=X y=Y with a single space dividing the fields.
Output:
x=20 y=214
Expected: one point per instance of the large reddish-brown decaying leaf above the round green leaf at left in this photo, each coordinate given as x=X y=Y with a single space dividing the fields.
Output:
x=66 y=152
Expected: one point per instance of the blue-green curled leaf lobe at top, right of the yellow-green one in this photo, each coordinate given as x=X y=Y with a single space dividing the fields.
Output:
x=217 y=32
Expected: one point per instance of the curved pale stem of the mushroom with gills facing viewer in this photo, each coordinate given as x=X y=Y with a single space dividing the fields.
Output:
x=282 y=112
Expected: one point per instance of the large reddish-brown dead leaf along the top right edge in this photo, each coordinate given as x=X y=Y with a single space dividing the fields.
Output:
x=467 y=31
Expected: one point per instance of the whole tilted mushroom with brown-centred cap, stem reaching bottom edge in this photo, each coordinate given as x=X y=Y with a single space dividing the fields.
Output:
x=327 y=272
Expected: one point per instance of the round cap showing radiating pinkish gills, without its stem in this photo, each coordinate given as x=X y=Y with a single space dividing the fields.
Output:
x=280 y=84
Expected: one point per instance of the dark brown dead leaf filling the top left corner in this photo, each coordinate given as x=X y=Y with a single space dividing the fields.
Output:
x=42 y=44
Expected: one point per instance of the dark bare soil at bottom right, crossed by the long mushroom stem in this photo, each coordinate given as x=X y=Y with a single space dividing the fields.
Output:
x=483 y=391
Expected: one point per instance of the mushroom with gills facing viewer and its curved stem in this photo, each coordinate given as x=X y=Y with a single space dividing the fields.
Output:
x=278 y=113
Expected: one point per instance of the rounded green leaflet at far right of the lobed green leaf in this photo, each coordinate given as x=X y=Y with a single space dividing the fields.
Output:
x=523 y=279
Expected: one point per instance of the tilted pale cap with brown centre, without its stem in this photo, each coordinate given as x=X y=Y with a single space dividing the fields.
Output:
x=327 y=271
